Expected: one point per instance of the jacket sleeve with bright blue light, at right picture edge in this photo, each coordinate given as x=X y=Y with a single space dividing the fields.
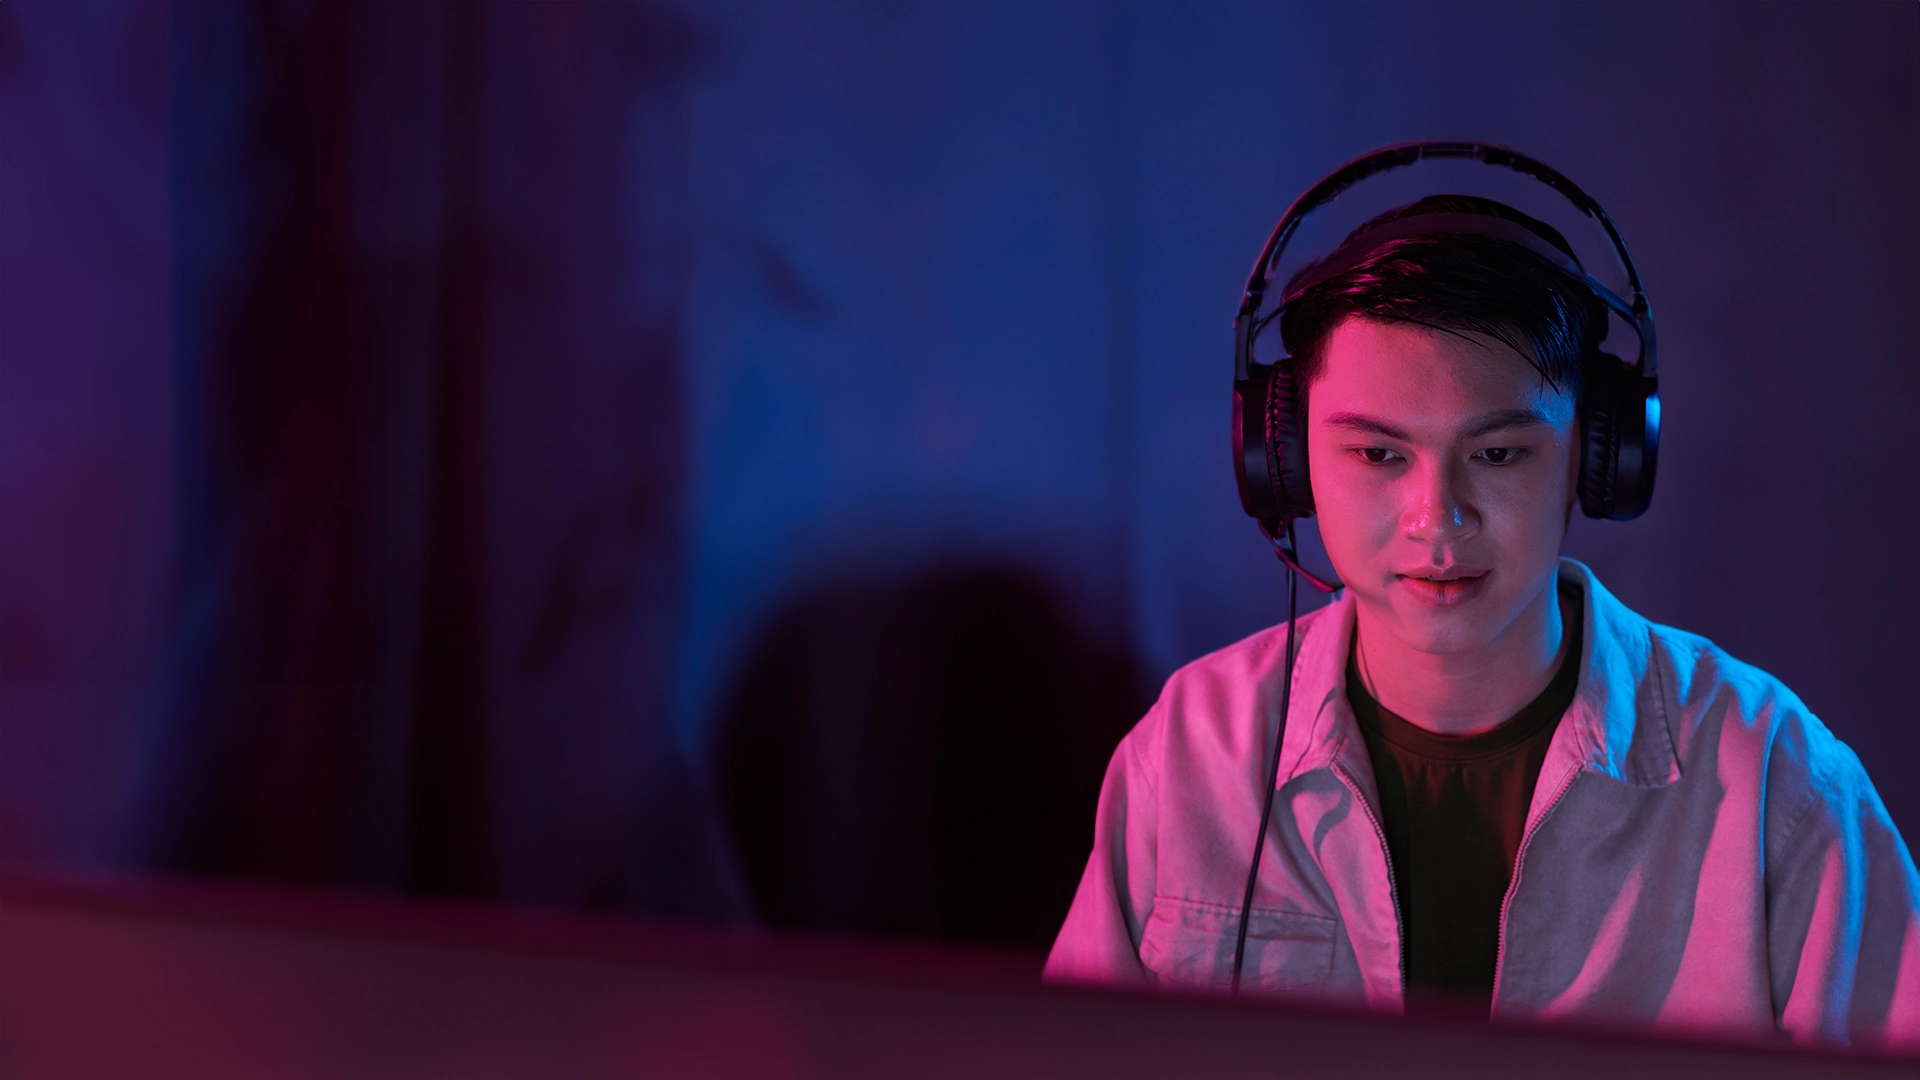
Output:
x=1844 y=916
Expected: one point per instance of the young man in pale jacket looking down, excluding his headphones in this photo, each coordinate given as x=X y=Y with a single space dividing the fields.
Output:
x=1499 y=783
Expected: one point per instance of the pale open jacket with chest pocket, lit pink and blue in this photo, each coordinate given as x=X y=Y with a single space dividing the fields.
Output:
x=1700 y=852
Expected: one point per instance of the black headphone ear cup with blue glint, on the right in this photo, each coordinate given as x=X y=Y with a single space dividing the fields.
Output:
x=1620 y=441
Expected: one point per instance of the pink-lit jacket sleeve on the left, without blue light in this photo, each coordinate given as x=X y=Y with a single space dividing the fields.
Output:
x=1101 y=939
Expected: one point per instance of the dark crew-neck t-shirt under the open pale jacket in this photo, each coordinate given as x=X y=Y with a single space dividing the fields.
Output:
x=1454 y=810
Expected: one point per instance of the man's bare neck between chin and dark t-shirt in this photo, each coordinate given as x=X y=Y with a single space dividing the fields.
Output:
x=1464 y=693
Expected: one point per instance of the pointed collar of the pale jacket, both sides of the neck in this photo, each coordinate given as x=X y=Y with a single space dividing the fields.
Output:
x=1618 y=724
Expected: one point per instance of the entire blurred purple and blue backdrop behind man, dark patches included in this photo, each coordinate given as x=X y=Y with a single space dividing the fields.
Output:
x=798 y=343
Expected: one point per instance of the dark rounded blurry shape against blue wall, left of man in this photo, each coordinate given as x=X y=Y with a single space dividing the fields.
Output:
x=921 y=758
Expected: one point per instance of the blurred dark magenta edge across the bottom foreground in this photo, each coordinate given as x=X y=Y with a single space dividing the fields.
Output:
x=112 y=979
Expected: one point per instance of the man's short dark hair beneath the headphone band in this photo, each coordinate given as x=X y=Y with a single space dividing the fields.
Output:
x=1456 y=282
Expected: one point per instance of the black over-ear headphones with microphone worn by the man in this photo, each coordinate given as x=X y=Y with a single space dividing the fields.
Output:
x=1620 y=412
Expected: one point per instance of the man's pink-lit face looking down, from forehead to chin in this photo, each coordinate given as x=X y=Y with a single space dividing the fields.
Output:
x=1443 y=478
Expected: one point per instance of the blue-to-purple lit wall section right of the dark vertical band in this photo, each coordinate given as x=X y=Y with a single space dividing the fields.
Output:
x=1020 y=233
